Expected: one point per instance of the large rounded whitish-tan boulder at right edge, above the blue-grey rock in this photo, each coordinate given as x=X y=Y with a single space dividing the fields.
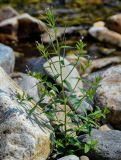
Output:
x=109 y=94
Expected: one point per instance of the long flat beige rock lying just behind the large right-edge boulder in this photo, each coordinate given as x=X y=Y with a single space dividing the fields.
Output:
x=97 y=64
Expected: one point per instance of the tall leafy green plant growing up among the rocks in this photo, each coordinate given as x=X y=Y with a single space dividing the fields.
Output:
x=66 y=141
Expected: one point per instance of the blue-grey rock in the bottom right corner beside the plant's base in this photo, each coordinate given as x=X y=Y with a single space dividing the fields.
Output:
x=108 y=146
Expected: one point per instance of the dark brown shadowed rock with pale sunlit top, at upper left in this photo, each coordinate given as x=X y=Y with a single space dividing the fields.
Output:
x=18 y=28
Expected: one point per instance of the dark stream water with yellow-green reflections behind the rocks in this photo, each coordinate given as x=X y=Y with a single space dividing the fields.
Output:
x=68 y=12
